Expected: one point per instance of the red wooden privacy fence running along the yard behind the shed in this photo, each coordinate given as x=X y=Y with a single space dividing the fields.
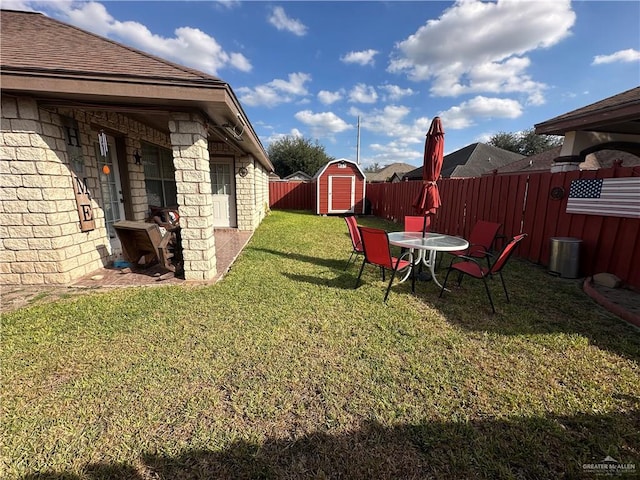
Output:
x=521 y=203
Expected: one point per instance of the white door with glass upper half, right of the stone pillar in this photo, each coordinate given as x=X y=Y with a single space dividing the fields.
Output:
x=224 y=195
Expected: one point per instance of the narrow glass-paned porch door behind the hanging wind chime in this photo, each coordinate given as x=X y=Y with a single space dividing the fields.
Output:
x=111 y=189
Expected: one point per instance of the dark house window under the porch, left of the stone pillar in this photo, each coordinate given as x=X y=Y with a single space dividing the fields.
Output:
x=159 y=173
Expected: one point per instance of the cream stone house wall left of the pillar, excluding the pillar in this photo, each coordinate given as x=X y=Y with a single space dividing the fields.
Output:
x=40 y=237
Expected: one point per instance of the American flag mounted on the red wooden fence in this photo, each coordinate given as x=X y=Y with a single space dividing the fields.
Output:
x=615 y=197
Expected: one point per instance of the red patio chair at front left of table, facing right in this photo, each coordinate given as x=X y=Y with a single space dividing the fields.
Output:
x=377 y=252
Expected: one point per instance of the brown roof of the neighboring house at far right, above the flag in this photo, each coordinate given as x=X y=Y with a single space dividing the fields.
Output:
x=617 y=114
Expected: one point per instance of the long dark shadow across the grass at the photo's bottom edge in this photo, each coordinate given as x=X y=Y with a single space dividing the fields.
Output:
x=523 y=448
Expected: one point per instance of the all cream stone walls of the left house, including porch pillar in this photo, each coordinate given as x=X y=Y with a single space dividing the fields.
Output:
x=40 y=237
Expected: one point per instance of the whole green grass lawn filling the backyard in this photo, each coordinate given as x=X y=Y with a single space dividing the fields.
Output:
x=283 y=370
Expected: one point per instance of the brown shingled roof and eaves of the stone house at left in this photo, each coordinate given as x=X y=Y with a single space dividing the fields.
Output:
x=63 y=65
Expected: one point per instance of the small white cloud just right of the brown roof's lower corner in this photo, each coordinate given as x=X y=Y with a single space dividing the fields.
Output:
x=276 y=92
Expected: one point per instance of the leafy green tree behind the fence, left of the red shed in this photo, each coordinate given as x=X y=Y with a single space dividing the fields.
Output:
x=290 y=154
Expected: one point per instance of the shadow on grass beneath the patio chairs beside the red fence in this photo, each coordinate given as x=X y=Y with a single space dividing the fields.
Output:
x=552 y=307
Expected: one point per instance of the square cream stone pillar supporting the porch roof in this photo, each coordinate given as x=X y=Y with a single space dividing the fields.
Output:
x=191 y=160
